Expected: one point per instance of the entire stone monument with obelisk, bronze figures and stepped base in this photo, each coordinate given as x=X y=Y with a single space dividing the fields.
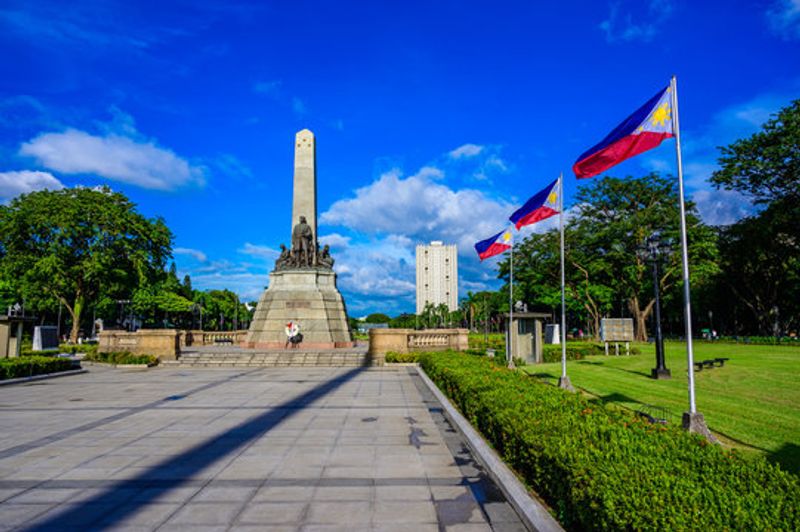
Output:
x=302 y=296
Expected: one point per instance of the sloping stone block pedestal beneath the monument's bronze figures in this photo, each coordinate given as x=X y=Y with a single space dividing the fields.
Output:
x=308 y=297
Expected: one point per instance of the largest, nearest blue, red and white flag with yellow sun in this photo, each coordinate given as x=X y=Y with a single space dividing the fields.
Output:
x=645 y=129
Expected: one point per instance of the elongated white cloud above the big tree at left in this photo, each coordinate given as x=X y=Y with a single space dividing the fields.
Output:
x=118 y=155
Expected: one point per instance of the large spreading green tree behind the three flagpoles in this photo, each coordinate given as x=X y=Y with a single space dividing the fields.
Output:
x=614 y=218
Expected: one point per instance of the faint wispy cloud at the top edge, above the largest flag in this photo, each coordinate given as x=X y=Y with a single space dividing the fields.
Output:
x=626 y=22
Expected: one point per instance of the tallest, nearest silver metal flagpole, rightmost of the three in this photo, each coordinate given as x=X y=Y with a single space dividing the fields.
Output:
x=692 y=420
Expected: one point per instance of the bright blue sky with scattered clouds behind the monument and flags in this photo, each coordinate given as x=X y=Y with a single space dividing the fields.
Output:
x=434 y=120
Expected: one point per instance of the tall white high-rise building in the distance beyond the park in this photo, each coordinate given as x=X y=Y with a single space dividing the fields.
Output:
x=437 y=275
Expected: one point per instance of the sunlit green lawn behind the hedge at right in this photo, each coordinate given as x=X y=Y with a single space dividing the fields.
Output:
x=753 y=402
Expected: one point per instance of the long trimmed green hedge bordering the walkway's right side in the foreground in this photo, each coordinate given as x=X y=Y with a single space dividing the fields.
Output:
x=600 y=469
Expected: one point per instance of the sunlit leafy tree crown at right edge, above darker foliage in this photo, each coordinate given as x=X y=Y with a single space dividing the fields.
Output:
x=765 y=166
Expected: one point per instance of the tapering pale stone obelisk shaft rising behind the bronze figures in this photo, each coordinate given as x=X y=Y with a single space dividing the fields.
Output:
x=305 y=181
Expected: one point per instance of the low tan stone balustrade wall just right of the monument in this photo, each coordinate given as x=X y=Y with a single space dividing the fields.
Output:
x=382 y=341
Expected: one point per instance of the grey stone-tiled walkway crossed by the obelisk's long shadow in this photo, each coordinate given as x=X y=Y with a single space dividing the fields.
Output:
x=230 y=449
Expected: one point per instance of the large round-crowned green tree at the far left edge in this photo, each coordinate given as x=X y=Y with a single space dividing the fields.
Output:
x=74 y=245
